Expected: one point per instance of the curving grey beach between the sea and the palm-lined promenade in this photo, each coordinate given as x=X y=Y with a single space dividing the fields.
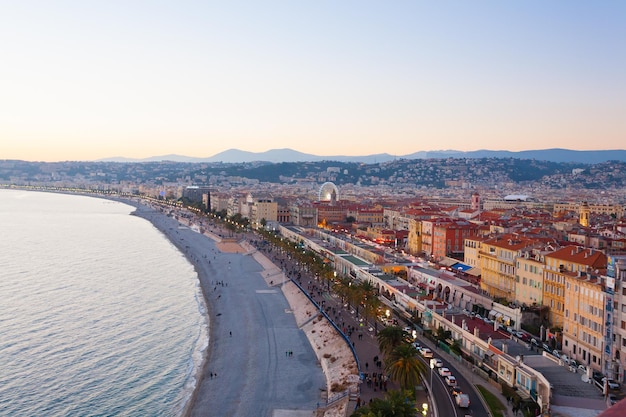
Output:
x=270 y=352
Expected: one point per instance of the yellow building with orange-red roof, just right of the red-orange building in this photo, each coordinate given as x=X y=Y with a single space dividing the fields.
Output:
x=498 y=264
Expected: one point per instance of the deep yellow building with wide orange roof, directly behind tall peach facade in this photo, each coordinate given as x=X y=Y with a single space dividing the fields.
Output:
x=558 y=266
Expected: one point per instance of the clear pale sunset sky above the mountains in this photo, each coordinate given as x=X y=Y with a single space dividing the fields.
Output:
x=83 y=80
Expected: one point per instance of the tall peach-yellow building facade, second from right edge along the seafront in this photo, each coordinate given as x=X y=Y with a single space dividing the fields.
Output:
x=583 y=320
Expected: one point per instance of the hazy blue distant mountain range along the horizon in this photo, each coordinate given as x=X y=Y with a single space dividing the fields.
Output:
x=290 y=155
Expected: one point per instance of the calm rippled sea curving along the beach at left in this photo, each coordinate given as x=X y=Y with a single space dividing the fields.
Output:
x=100 y=315
